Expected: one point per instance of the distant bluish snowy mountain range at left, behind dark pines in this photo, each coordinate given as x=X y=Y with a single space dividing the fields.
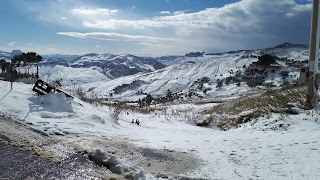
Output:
x=113 y=66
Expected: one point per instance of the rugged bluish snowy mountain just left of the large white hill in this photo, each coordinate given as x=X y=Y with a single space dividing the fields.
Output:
x=115 y=66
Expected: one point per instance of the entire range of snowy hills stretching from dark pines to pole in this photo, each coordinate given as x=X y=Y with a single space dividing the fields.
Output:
x=129 y=75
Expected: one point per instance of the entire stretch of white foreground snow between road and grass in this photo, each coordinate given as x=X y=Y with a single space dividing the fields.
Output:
x=273 y=147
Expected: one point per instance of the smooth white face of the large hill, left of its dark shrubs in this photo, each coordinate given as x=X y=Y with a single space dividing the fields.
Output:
x=180 y=76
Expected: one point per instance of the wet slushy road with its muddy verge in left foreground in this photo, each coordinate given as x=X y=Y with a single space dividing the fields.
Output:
x=26 y=153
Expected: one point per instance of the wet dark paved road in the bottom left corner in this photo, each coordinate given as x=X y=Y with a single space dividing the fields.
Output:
x=25 y=154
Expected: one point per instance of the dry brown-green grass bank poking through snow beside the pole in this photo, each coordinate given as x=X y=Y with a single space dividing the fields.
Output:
x=271 y=100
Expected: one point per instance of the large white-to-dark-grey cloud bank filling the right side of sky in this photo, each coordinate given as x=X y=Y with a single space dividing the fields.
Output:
x=244 y=24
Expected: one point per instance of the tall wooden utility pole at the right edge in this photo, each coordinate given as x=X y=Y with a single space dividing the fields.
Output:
x=313 y=64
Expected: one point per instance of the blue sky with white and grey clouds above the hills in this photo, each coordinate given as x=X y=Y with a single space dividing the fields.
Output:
x=151 y=27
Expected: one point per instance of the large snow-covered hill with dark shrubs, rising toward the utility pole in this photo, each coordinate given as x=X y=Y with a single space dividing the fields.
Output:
x=209 y=75
